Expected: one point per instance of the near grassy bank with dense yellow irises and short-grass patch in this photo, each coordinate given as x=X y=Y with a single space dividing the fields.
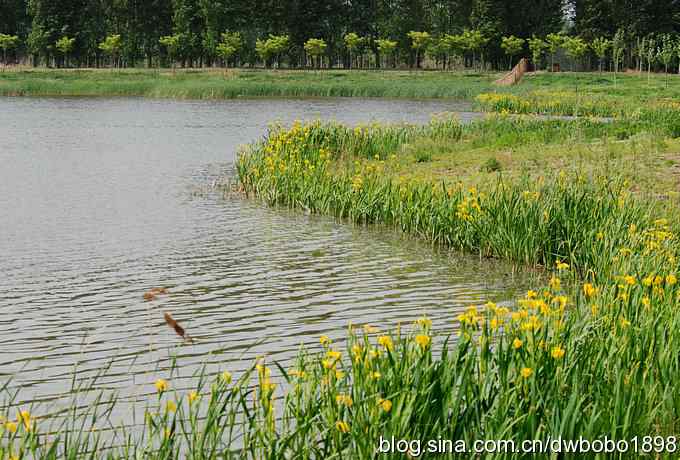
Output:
x=593 y=353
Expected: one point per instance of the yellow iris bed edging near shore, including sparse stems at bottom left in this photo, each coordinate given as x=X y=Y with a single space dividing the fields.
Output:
x=593 y=353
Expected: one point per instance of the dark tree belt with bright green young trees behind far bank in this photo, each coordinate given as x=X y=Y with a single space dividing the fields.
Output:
x=339 y=33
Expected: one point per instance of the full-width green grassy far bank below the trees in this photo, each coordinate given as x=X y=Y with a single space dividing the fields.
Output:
x=560 y=93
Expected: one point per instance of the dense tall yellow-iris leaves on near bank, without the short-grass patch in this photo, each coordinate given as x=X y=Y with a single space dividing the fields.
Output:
x=592 y=354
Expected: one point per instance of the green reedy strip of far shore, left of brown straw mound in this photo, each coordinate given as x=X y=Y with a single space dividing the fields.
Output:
x=242 y=83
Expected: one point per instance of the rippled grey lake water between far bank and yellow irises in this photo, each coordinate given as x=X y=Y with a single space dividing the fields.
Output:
x=101 y=200
